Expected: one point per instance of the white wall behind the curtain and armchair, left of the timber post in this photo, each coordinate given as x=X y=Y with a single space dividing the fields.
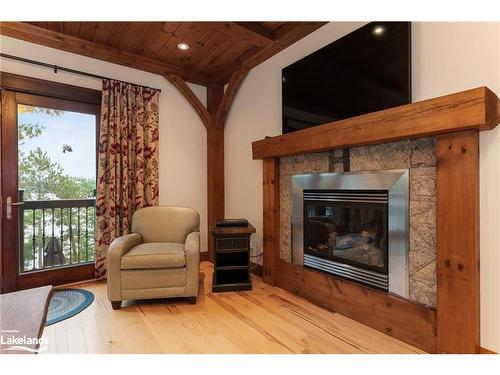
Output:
x=182 y=150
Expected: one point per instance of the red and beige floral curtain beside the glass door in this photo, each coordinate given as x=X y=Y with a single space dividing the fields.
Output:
x=128 y=161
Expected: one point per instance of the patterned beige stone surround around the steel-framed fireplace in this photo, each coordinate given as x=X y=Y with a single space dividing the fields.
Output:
x=417 y=155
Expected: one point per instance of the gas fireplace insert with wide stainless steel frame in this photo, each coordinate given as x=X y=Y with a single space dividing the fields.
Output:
x=353 y=226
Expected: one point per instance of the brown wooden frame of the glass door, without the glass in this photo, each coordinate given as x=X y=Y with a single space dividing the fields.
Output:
x=32 y=91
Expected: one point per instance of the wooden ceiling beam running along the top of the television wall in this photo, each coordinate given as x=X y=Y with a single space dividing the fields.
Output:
x=285 y=36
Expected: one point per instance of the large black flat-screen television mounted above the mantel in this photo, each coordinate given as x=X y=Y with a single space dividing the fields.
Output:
x=364 y=71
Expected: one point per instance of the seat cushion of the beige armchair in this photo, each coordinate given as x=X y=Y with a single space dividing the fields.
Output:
x=154 y=255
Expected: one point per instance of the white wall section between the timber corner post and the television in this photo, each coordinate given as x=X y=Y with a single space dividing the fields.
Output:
x=256 y=113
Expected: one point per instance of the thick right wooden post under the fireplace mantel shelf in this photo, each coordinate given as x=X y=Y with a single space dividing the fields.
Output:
x=458 y=319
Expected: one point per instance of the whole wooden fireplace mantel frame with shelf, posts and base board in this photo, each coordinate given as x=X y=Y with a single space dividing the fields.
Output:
x=455 y=120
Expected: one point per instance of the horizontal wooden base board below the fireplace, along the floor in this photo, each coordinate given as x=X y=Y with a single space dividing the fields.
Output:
x=411 y=323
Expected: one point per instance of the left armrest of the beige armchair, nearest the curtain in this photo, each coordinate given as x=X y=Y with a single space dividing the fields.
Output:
x=115 y=252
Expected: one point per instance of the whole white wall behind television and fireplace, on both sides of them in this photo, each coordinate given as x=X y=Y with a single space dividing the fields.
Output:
x=447 y=57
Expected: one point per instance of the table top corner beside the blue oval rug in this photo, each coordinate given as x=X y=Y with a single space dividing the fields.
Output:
x=23 y=313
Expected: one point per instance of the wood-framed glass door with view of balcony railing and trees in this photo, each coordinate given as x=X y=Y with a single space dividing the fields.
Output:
x=49 y=182
